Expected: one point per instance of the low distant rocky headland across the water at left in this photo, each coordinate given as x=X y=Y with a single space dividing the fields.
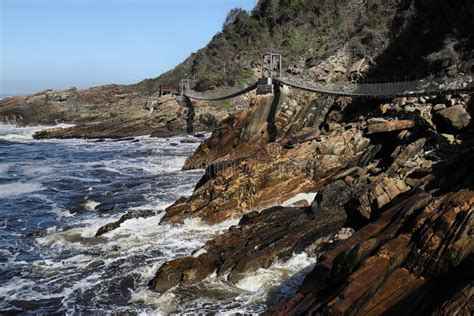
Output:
x=110 y=112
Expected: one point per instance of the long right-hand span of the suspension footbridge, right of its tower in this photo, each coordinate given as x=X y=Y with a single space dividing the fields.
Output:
x=426 y=86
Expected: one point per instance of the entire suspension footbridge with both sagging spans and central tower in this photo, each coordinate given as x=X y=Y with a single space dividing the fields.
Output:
x=272 y=79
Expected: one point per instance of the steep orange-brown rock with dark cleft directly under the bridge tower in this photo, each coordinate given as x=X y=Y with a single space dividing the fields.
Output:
x=266 y=119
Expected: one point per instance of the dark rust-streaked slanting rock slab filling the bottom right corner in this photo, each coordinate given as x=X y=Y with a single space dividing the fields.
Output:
x=392 y=263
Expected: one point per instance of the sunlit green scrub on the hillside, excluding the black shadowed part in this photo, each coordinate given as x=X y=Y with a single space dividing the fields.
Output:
x=304 y=31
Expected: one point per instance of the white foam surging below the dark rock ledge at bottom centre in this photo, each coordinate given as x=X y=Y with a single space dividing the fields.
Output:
x=249 y=295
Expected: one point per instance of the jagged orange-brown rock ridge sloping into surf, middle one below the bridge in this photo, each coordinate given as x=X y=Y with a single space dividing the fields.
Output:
x=232 y=188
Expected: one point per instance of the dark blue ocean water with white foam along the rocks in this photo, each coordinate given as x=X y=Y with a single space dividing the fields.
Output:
x=55 y=194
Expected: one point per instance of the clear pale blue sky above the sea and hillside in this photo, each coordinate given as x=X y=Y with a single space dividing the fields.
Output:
x=83 y=43
